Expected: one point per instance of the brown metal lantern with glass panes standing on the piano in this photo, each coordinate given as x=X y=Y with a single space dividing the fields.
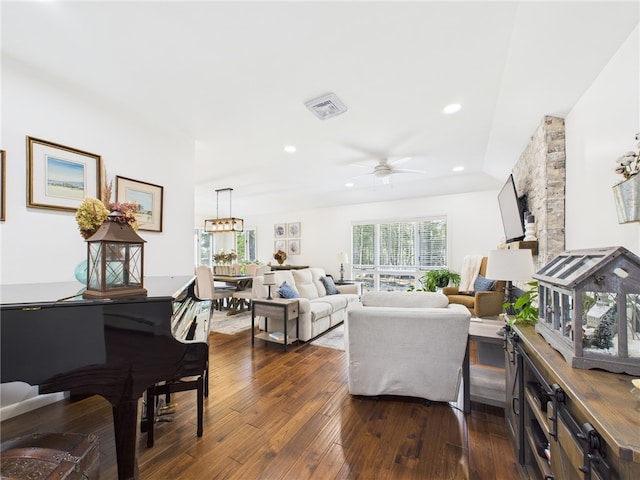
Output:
x=115 y=260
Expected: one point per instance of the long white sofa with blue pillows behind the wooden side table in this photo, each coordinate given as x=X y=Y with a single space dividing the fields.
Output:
x=318 y=311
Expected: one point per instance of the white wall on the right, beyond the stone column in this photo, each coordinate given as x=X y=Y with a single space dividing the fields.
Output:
x=599 y=129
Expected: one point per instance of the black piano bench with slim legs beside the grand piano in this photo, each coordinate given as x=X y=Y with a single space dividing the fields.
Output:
x=167 y=388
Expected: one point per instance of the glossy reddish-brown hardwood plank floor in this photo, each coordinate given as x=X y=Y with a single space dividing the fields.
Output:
x=274 y=415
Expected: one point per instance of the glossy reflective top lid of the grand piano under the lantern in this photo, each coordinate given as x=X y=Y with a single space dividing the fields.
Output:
x=157 y=287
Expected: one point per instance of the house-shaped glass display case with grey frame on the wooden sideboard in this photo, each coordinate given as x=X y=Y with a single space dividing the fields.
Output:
x=589 y=308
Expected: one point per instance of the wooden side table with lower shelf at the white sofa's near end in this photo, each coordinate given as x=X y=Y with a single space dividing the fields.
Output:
x=276 y=309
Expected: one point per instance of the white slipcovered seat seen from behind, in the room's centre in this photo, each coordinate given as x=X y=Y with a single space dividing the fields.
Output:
x=406 y=343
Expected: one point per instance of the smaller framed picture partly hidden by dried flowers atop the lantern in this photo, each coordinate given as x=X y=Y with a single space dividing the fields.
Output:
x=149 y=200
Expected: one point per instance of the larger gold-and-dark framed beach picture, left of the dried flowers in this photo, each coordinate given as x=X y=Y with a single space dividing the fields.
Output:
x=60 y=177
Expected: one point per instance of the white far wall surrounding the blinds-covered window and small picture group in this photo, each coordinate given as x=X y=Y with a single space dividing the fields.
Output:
x=473 y=220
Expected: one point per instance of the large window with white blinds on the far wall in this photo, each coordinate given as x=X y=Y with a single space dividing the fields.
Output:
x=393 y=255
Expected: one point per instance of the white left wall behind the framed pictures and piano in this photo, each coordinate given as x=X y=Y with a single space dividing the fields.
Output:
x=44 y=246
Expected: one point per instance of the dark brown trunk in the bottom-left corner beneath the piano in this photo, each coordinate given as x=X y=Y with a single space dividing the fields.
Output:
x=48 y=456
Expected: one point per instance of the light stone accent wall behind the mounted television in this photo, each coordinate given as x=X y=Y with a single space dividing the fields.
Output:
x=540 y=174
